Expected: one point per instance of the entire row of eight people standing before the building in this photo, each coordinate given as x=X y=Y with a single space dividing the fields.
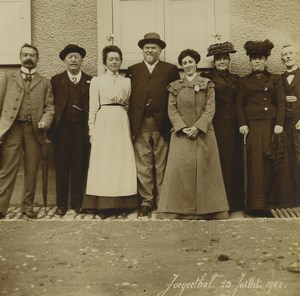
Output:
x=155 y=140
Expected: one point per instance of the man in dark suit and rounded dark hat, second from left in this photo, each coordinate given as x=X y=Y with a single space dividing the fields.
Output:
x=69 y=131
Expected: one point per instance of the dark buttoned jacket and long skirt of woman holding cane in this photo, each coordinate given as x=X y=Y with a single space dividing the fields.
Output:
x=260 y=105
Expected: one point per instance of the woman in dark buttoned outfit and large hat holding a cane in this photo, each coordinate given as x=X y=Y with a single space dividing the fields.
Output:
x=260 y=107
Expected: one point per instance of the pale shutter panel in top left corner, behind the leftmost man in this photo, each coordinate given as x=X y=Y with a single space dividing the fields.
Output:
x=15 y=29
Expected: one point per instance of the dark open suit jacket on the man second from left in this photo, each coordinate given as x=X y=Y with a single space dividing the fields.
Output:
x=60 y=86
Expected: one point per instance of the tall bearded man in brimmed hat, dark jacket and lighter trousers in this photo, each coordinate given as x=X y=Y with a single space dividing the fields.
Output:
x=149 y=121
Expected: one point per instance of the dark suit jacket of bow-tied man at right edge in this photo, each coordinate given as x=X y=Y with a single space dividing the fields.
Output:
x=293 y=89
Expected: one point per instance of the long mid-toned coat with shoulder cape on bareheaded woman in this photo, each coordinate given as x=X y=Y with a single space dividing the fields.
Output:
x=193 y=183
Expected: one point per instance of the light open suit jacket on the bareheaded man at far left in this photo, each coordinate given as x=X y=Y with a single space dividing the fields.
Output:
x=11 y=95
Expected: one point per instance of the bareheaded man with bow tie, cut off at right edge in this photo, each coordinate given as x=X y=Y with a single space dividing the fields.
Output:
x=291 y=83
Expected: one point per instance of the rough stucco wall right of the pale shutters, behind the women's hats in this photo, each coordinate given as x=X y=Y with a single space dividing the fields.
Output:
x=276 y=20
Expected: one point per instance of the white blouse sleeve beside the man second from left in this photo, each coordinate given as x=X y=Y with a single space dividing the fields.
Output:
x=94 y=104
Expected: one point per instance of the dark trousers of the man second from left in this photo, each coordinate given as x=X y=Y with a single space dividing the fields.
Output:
x=71 y=162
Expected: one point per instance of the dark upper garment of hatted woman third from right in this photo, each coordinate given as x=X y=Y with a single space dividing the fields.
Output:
x=226 y=88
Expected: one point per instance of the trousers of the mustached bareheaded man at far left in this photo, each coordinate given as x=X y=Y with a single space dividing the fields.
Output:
x=20 y=140
